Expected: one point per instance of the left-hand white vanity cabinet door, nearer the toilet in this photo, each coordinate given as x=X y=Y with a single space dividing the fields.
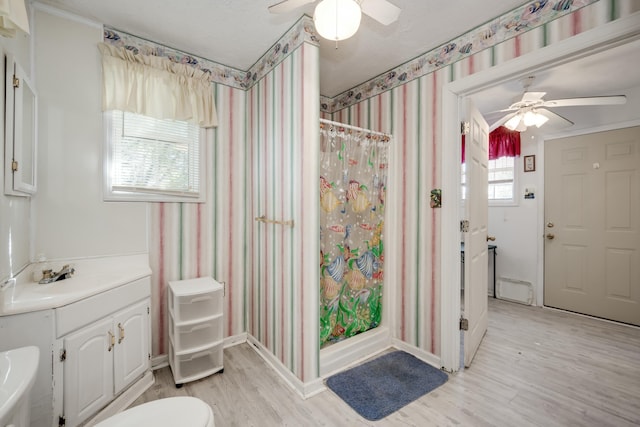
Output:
x=88 y=371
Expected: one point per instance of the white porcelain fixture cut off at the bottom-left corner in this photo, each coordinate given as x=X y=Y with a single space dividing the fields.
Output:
x=17 y=374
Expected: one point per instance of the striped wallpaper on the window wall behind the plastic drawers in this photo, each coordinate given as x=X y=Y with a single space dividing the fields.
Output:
x=190 y=240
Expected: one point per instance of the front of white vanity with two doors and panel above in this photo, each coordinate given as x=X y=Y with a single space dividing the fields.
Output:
x=107 y=353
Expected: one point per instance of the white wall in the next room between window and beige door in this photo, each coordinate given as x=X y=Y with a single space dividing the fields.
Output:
x=516 y=227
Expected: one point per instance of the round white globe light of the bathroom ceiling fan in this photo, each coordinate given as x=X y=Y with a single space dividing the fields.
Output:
x=337 y=19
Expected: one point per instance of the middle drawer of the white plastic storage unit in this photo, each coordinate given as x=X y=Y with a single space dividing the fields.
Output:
x=191 y=336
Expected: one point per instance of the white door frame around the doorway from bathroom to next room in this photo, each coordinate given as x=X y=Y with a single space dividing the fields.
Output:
x=584 y=44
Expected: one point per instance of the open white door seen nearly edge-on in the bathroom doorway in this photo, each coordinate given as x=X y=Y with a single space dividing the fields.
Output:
x=475 y=240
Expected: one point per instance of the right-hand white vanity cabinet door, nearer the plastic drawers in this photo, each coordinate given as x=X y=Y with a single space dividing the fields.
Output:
x=131 y=355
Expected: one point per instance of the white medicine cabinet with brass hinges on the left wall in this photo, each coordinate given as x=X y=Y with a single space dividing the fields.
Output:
x=20 y=130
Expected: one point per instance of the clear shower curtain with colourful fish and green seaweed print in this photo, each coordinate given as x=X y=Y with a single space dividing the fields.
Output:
x=353 y=178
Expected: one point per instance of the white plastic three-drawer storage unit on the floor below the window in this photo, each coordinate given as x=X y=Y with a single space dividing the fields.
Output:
x=195 y=328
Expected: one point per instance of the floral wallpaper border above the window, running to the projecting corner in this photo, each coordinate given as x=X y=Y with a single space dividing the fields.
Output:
x=302 y=31
